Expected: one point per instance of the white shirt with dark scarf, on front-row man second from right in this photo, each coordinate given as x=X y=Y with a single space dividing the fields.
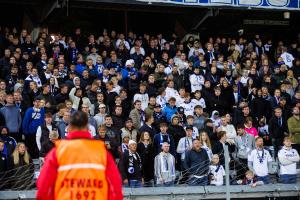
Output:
x=260 y=161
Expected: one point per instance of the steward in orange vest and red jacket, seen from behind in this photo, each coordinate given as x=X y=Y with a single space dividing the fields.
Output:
x=79 y=168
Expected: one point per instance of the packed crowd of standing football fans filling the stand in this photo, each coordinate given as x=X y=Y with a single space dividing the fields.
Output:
x=165 y=107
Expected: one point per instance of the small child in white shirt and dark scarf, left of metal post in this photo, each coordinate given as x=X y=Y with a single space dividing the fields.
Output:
x=217 y=171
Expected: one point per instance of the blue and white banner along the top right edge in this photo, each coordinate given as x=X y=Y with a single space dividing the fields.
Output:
x=262 y=4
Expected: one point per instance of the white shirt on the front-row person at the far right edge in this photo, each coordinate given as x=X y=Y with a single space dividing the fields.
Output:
x=288 y=159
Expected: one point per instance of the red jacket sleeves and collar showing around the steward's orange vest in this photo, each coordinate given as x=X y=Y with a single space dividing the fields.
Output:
x=47 y=177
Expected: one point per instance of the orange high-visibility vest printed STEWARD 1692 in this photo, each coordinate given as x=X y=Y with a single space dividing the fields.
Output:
x=81 y=170
